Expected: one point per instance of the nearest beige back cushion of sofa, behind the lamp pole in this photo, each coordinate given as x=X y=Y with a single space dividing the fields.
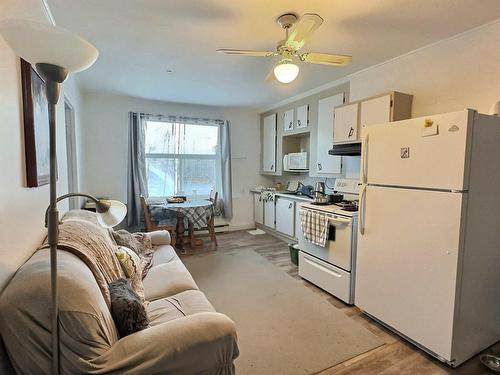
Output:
x=87 y=328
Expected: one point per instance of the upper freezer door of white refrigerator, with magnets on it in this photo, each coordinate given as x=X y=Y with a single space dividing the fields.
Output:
x=428 y=152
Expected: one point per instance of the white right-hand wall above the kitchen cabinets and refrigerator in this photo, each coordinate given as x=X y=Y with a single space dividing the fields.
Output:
x=450 y=75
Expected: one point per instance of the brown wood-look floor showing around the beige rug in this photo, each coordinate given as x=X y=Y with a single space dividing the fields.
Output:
x=396 y=356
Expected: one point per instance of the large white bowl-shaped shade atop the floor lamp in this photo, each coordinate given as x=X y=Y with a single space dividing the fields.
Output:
x=37 y=42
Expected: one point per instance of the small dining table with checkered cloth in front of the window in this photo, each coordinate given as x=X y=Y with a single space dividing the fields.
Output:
x=196 y=211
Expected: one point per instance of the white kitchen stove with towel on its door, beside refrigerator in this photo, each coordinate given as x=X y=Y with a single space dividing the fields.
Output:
x=332 y=267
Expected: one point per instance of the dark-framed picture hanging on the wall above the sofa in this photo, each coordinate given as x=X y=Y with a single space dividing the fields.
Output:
x=36 y=126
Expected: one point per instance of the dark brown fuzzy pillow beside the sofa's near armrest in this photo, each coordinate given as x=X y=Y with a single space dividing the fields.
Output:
x=127 y=310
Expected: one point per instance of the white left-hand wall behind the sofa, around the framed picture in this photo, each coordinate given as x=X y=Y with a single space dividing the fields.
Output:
x=22 y=209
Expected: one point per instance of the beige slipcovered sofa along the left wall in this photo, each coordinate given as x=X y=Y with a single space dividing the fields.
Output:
x=186 y=335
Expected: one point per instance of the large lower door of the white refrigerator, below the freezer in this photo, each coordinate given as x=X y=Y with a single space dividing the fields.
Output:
x=407 y=262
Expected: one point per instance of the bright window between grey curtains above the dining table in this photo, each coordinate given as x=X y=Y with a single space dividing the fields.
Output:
x=182 y=159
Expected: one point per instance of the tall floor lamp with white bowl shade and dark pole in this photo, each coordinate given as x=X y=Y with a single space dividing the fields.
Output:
x=55 y=52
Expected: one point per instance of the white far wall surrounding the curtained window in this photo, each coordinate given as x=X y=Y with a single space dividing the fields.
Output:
x=105 y=136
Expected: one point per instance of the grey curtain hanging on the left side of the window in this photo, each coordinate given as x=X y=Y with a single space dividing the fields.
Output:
x=136 y=177
